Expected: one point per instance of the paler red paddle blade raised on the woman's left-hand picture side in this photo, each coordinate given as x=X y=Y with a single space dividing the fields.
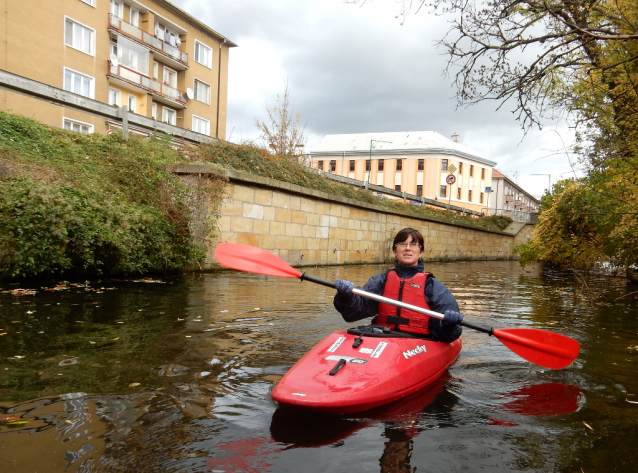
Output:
x=253 y=260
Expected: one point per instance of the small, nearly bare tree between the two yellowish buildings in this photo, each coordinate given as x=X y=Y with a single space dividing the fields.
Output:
x=283 y=132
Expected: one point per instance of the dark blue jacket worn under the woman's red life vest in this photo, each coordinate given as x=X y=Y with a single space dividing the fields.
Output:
x=438 y=297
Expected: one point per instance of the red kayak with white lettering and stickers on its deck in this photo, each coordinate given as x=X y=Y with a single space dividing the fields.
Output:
x=353 y=371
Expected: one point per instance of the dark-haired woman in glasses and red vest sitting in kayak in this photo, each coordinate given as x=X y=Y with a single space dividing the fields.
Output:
x=408 y=283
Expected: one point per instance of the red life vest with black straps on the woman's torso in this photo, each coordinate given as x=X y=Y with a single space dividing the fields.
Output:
x=411 y=291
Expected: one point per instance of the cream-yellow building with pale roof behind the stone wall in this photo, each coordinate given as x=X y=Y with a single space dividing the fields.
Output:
x=416 y=162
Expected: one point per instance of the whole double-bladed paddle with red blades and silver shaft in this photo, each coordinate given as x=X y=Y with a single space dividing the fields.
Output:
x=547 y=349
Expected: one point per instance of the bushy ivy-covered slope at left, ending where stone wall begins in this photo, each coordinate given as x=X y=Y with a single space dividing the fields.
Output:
x=89 y=203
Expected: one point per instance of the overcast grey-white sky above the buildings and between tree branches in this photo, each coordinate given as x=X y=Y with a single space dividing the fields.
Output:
x=356 y=69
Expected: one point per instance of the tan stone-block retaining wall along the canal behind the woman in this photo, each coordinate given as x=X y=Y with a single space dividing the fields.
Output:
x=306 y=227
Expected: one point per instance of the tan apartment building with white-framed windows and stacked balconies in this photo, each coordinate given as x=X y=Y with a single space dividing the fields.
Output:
x=148 y=55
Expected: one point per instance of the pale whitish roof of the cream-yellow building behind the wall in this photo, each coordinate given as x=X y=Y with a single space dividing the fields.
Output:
x=405 y=142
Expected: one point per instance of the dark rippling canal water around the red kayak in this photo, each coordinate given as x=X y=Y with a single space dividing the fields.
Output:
x=175 y=375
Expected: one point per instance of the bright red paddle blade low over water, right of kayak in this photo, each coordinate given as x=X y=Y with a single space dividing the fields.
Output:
x=548 y=349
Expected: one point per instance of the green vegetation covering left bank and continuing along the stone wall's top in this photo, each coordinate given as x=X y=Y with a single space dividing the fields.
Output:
x=101 y=205
